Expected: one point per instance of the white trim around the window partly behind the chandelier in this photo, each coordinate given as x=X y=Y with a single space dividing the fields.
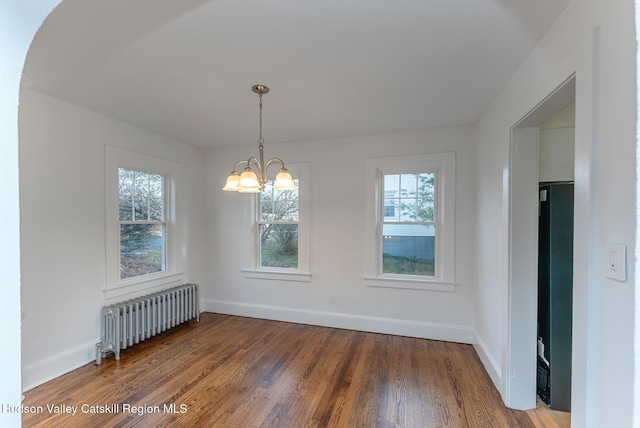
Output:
x=303 y=272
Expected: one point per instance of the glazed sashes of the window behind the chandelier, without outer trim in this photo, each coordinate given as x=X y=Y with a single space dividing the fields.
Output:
x=278 y=227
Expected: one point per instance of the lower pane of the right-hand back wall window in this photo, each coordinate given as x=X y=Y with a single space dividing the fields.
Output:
x=408 y=249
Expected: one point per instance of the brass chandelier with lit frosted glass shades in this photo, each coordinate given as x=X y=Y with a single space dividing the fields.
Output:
x=254 y=175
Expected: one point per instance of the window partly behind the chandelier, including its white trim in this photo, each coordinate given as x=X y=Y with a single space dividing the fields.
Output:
x=281 y=231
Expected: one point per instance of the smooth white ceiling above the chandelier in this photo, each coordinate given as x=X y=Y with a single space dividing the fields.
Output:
x=336 y=68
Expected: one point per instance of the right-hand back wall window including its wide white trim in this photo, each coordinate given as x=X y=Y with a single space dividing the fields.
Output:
x=410 y=222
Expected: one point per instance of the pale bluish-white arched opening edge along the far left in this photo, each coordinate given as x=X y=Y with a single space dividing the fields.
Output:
x=19 y=21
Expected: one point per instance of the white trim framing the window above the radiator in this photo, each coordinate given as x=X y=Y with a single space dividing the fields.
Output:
x=115 y=158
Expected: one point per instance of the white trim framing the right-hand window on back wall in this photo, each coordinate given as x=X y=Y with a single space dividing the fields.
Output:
x=444 y=164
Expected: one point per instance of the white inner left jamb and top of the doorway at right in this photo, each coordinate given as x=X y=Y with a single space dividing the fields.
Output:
x=520 y=373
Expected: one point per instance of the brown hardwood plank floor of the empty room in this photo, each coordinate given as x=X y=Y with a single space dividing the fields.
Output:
x=231 y=371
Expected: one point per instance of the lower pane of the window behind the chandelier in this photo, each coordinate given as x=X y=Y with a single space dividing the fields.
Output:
x=279 y=245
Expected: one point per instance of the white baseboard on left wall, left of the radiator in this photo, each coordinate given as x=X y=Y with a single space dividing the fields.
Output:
x=57 y=365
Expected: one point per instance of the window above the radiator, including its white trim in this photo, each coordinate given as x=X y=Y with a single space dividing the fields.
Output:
x=141 y=243
